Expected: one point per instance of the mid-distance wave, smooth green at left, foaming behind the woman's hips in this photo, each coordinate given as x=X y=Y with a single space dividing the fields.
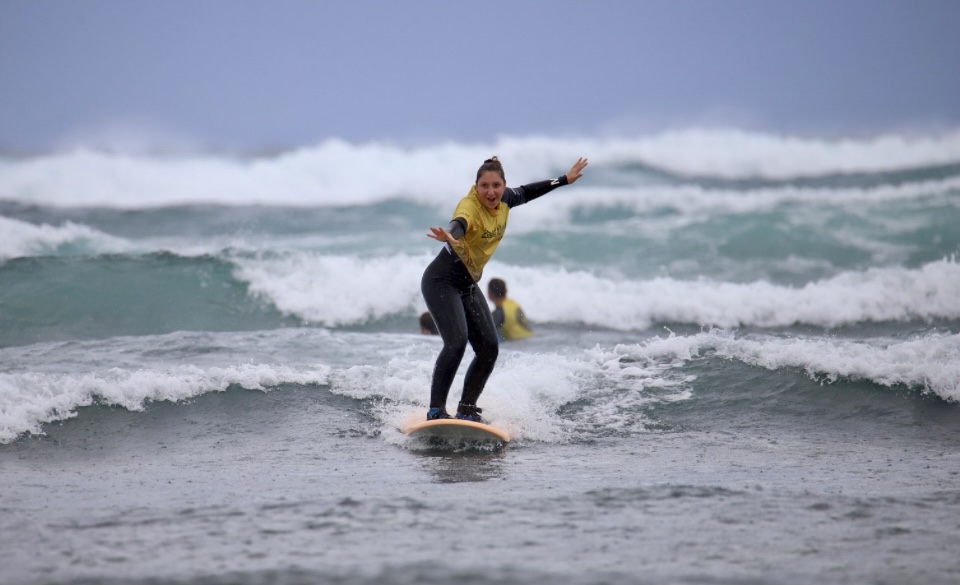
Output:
x=62 y=298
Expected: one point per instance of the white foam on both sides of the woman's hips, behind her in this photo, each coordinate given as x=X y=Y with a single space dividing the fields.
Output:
x=349 y=290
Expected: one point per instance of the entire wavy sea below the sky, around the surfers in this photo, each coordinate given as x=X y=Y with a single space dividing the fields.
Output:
x=746 y=366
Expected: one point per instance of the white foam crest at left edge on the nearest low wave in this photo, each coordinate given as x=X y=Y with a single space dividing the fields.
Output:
x=28 y=400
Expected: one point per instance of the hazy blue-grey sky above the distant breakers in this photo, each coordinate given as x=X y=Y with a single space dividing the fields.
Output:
x=281 y=73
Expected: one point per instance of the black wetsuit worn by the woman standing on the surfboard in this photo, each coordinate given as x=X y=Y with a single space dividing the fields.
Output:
x=461 y=311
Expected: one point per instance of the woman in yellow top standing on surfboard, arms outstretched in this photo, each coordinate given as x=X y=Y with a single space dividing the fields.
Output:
x=449 y=283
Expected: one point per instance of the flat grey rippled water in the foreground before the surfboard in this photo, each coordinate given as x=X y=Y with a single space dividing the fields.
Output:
x=301 y=492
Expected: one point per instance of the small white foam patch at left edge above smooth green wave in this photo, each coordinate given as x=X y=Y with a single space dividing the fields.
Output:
x=19 y=239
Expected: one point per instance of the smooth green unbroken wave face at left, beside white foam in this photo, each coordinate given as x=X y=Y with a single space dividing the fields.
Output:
x=55 y=298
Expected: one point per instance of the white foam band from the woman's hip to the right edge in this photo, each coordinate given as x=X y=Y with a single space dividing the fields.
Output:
x=877 y=294
